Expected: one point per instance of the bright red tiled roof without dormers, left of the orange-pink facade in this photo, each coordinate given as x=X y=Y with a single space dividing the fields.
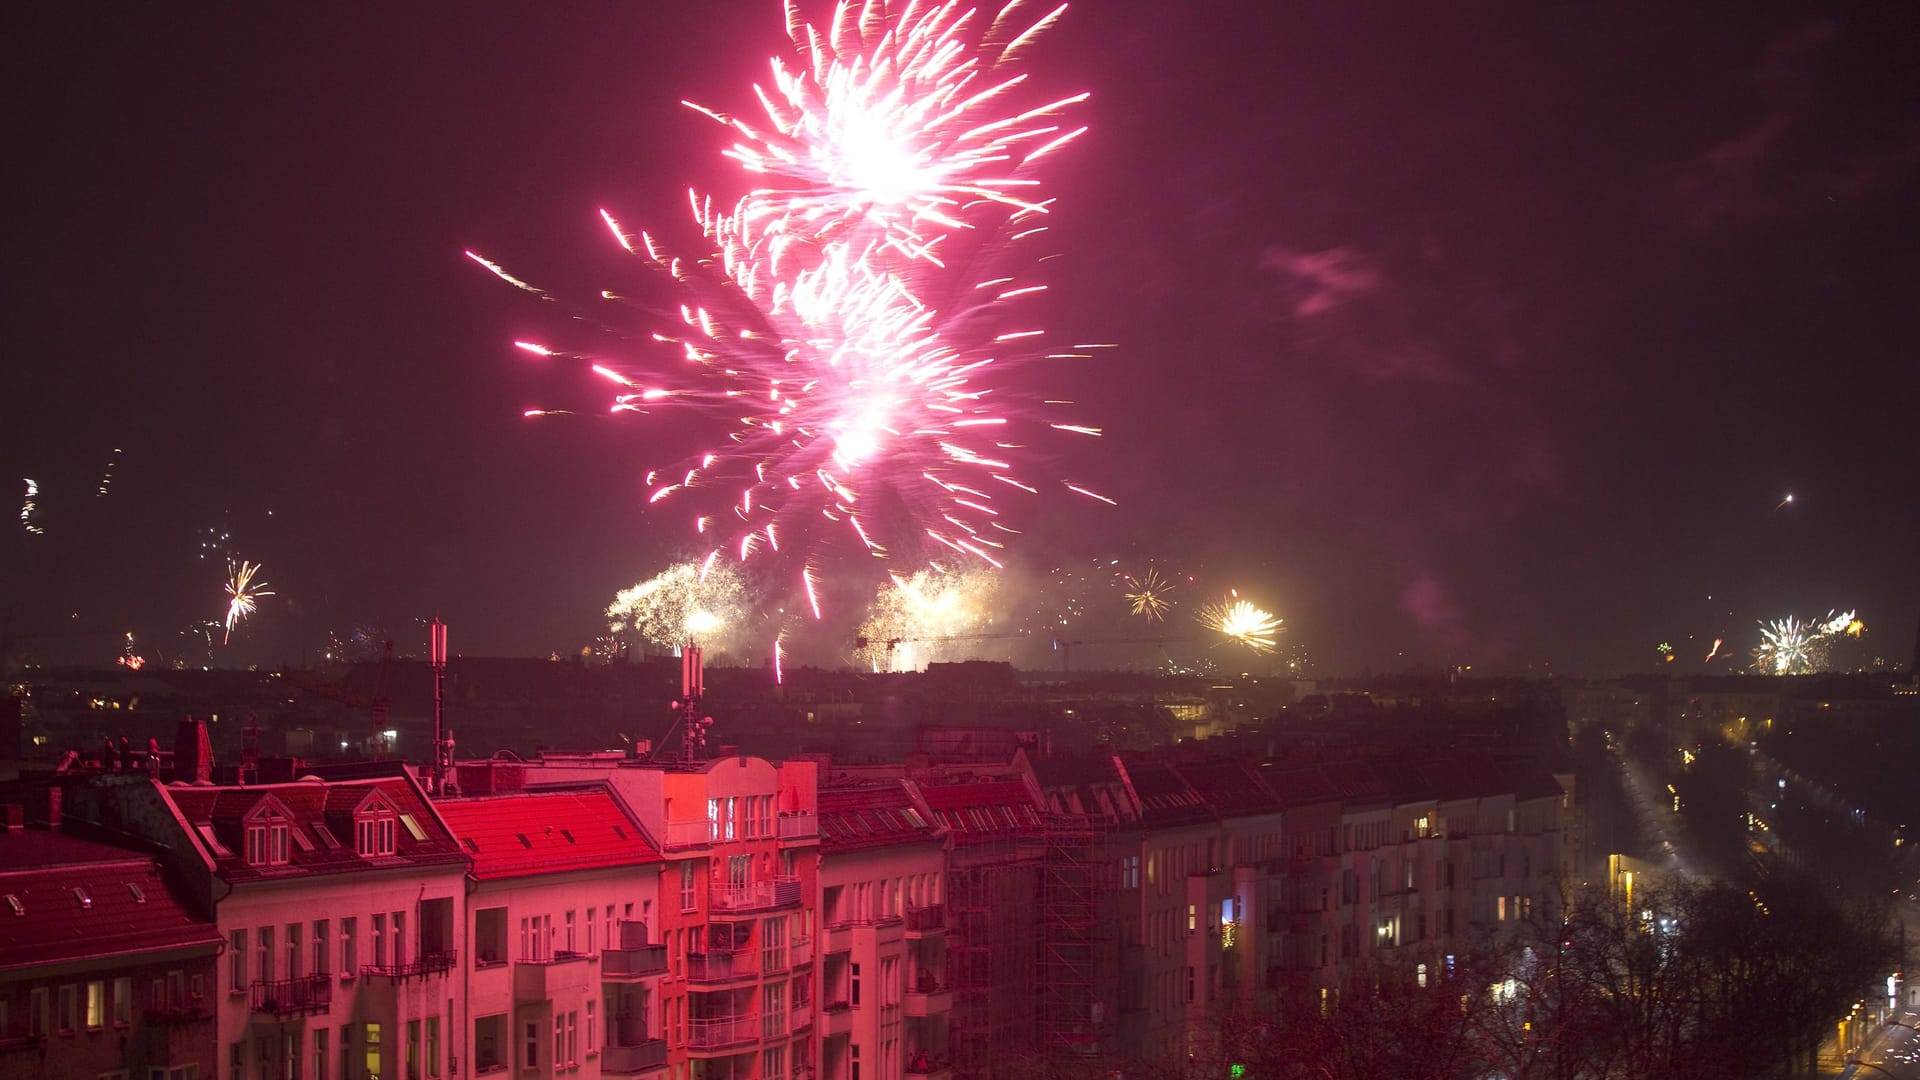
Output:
x=548 y=833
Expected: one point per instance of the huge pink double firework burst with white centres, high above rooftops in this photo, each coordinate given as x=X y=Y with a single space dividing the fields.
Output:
x=853 y=324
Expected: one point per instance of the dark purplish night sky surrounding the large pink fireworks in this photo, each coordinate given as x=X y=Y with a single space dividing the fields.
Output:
x=1456 y=333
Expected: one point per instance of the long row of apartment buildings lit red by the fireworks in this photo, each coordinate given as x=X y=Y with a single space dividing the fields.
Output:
x=732 y=920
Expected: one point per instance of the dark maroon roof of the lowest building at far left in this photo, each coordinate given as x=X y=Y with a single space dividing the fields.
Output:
x=122 y=908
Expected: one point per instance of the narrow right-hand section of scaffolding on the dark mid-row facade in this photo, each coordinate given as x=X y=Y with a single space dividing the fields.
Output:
x=1076 y=1021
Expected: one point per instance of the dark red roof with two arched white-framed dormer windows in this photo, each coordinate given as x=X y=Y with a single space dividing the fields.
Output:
x=322 y=820
